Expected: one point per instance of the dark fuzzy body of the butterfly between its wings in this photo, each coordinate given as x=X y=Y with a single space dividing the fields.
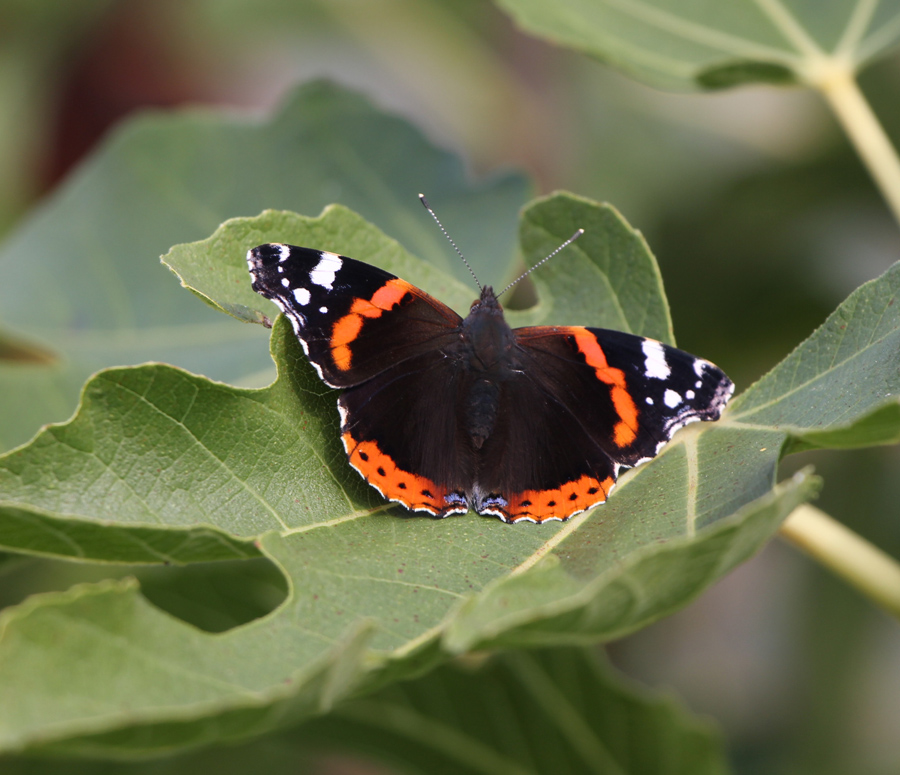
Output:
x=488 y=353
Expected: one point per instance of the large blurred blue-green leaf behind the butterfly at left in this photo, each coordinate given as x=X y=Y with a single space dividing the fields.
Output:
x=92 y=293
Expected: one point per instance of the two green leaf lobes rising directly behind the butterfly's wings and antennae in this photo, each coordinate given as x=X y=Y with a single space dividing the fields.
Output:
x=607 y=278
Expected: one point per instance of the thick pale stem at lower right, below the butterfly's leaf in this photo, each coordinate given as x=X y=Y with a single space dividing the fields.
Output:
x=872 y=571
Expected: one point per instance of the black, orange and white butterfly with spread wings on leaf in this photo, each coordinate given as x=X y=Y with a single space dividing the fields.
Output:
x=440 y=413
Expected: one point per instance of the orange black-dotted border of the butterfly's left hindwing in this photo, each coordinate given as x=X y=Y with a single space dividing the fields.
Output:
x=415 y=492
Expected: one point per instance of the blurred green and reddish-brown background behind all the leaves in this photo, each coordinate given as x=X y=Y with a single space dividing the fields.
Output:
x=761 y=217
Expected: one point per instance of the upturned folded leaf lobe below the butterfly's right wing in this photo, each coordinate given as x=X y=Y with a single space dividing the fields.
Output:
x=579 y=595
